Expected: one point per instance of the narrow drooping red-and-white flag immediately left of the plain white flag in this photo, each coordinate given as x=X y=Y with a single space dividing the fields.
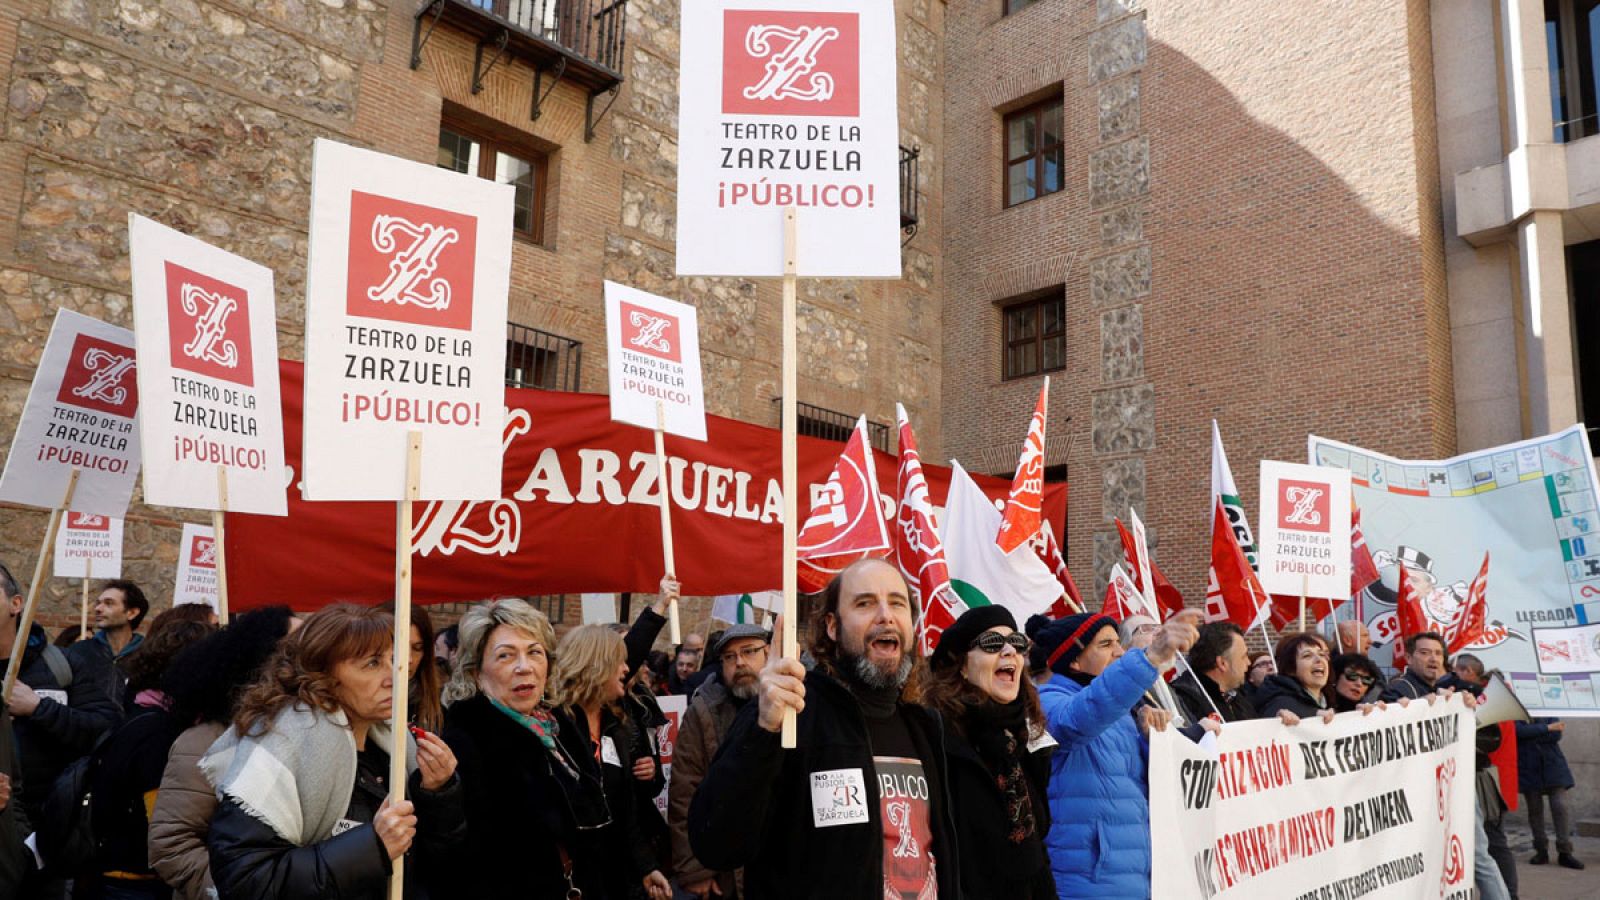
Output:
x=919 y=553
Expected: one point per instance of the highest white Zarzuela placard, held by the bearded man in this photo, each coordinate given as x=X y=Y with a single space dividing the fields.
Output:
x=788 y=103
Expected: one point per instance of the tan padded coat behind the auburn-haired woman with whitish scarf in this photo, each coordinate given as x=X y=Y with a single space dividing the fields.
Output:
x=183 y=816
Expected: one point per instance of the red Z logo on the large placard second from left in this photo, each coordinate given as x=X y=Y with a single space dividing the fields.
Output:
x=209 y=326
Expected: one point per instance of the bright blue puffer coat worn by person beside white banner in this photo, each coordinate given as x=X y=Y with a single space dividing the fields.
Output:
x=1100 y=810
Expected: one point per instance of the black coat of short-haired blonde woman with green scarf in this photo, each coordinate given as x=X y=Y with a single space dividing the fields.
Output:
x=518 y=810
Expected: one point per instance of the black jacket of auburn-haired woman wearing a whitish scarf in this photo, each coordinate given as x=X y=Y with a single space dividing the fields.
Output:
x=252 y=862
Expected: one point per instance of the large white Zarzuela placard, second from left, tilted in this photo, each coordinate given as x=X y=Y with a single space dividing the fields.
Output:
x=209 y=342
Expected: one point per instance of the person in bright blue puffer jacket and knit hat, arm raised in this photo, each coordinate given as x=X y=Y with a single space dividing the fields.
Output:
x=1100 y=838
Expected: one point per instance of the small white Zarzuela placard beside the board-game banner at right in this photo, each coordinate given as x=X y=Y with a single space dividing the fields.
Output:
x=1305 y=537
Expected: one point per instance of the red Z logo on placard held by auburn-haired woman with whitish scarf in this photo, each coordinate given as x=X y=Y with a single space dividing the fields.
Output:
x=410 y=263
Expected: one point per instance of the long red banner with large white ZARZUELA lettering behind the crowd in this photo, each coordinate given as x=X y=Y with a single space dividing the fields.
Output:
x=580 y=515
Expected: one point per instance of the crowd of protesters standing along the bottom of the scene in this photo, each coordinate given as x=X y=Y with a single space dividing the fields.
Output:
x=177 y=758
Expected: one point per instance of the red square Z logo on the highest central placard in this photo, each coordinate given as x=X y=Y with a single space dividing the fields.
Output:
x=791 y=63
